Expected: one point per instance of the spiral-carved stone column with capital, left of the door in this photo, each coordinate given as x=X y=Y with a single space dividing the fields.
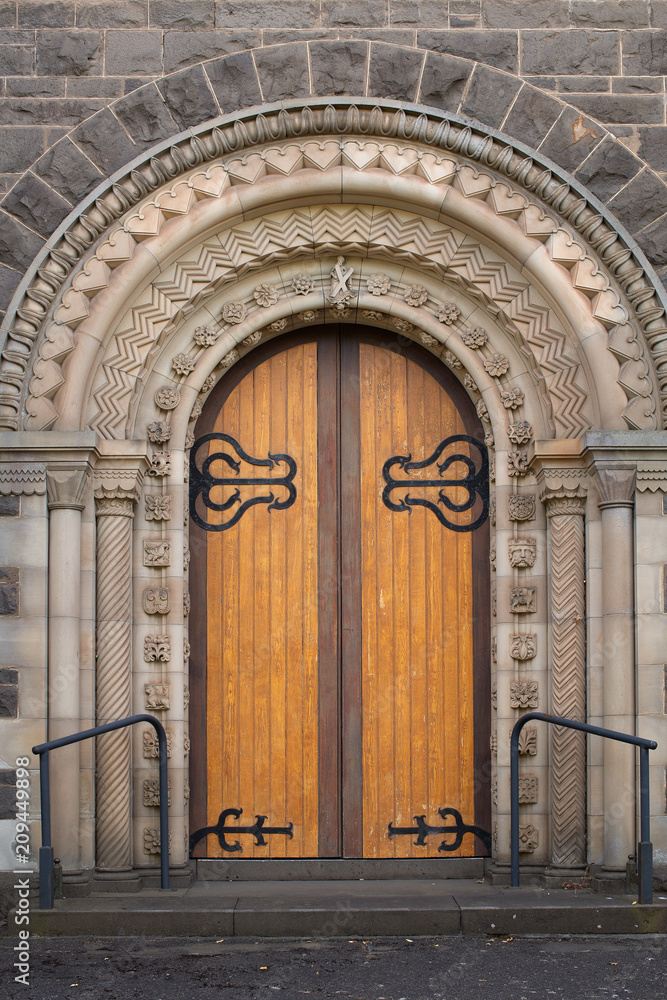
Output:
x=113 y=684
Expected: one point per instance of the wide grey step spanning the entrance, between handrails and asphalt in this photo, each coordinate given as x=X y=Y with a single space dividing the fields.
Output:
x=319 y=909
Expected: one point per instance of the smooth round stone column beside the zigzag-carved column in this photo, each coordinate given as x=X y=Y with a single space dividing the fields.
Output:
x=617 y=486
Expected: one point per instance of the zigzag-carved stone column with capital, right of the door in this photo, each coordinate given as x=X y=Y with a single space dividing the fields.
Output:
x=565 y=513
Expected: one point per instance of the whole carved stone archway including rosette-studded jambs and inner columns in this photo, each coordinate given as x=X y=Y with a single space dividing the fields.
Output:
x=448 y=235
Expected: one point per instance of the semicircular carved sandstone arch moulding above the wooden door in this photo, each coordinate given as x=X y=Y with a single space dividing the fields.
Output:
x=190 y=234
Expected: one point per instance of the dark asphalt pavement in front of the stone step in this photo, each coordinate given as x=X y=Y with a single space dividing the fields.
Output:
x=422 y=968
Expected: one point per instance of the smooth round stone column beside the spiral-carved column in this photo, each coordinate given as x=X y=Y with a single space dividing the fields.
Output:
x=66 y=488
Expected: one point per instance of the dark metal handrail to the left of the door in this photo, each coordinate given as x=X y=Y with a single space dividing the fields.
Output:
x=46 y=856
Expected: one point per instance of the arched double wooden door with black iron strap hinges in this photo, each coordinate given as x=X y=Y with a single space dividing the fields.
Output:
x=339 y=632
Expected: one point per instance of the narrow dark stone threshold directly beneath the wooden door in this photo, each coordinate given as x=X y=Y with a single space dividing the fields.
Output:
x=256 y=869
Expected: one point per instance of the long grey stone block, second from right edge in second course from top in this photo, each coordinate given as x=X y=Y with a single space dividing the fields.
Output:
x=567 y=52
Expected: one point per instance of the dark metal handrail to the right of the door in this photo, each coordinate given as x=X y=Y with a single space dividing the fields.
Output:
x=644 y=848
